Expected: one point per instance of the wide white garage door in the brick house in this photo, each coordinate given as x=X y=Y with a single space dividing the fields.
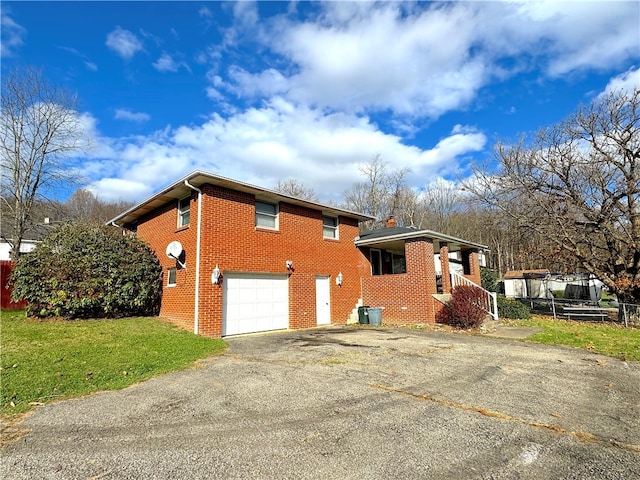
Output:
x=255 y=303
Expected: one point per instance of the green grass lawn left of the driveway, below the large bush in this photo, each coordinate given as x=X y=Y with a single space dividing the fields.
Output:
x=43 y=361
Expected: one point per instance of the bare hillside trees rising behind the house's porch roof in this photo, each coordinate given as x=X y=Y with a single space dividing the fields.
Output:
x=443 y=207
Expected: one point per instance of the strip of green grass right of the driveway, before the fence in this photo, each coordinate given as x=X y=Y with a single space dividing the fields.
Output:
x=607 y=338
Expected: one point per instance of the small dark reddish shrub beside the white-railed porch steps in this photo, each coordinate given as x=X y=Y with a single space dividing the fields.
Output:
x=466 y=309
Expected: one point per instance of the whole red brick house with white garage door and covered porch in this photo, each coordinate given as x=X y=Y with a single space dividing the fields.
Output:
x=238 y=258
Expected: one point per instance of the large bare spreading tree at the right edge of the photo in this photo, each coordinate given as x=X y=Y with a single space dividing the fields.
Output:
x=577 y=186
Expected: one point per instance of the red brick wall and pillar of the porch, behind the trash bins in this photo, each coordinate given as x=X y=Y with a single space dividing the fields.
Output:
x=407 y=297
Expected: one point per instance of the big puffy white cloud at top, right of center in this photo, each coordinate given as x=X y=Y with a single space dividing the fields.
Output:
x=377 y=58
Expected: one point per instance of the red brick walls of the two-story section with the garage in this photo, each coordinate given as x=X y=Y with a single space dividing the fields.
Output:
x=230 y=239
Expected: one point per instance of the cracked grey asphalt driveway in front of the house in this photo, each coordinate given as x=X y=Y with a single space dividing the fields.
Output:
x=352 y=403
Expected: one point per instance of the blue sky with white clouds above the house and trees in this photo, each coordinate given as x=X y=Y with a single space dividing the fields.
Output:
x=267 y=91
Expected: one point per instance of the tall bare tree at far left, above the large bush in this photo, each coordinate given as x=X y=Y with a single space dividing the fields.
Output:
x=39 y=129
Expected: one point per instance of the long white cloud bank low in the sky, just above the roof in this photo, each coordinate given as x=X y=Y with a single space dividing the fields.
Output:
x=280 y=140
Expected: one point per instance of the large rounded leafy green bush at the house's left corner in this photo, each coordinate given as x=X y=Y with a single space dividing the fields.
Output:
x=83 y=270
